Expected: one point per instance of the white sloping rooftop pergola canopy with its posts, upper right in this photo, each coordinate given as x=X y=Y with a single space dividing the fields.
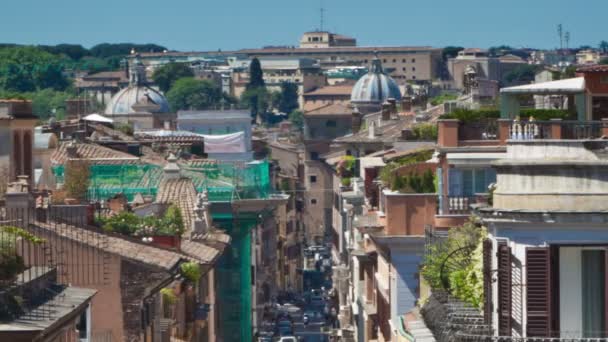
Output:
x=575 y=87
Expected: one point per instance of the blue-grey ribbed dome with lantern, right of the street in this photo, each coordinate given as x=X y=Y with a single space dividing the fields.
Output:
x=375 y=87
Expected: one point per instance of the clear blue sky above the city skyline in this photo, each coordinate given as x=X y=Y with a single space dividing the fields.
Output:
x=195 y=25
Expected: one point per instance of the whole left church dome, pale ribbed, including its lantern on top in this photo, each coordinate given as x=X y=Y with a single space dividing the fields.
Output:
x=138 y=96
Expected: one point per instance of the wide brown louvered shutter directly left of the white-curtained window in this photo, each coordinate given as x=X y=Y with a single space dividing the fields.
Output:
x=538 y=294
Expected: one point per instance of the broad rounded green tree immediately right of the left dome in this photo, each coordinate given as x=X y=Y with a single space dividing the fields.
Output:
x=190 y=93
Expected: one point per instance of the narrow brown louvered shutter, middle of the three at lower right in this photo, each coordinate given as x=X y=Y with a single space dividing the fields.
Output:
x=504 y=290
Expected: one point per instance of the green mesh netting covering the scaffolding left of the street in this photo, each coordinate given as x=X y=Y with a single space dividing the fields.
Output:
x=224 y=182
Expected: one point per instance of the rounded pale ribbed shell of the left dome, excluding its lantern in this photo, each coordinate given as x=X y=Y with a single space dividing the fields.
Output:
x=125 y=99
